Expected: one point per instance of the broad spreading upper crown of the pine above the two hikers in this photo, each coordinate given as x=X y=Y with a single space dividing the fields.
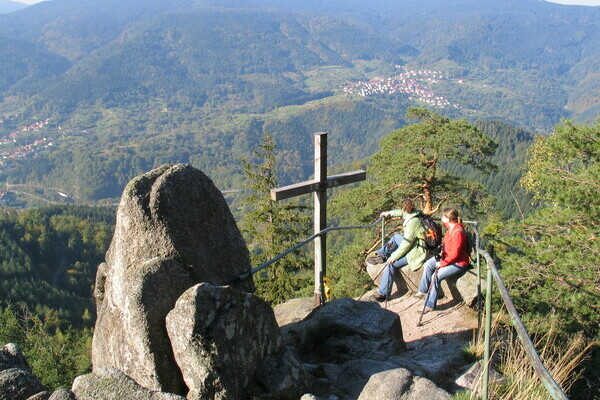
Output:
x=410 y=165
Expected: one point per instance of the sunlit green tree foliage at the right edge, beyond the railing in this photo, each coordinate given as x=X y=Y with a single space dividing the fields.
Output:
x=551 y=258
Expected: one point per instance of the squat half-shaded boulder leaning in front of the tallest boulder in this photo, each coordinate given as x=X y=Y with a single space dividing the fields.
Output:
x=227 y=342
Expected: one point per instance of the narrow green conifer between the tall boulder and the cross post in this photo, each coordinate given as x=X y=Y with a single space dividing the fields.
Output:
x=271 y=227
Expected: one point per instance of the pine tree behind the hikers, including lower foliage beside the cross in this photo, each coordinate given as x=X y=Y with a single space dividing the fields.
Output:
x=411 y=163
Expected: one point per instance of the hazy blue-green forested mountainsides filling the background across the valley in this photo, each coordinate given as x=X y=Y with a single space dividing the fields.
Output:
x=122 y=87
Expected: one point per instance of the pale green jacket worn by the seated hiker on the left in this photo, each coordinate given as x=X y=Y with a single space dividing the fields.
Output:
x=413 y=245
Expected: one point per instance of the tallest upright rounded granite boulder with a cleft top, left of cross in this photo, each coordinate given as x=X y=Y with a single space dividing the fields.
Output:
x=173 y=230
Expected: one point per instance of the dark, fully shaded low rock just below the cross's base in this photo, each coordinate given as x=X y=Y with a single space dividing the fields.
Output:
x=344 y=330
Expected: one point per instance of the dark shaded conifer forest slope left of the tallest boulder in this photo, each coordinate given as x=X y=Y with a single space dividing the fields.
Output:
x=48 y=260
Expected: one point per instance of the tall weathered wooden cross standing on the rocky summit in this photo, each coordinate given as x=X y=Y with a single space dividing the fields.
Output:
x=319 y=186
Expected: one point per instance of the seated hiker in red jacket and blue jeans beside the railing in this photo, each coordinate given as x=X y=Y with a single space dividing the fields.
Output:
x=453 y=260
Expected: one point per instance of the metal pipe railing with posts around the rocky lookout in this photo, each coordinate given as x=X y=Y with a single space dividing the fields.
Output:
x=549 y=383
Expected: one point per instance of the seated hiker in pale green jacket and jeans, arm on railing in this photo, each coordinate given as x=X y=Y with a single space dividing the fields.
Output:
x=402 y=249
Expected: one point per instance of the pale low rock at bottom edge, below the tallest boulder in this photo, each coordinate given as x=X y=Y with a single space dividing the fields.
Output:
x=111 y=384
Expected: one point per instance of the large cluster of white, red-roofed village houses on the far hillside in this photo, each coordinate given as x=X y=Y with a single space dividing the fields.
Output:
x=415 y=83
